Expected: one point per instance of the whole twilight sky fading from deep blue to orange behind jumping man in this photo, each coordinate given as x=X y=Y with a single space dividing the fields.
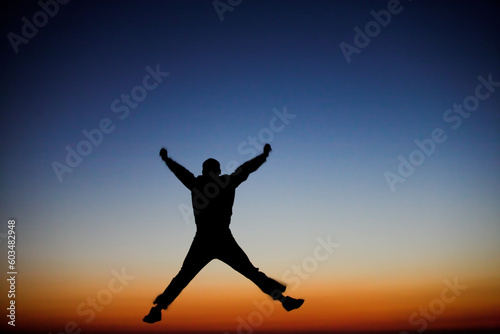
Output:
x=121 y=210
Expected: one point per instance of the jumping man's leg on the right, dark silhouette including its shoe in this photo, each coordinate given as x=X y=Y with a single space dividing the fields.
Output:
x=234 y=256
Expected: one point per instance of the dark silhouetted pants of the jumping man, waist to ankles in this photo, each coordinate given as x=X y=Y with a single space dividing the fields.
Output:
x=204 y=249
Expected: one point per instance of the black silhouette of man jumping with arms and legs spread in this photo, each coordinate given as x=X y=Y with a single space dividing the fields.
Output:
x=212 y=196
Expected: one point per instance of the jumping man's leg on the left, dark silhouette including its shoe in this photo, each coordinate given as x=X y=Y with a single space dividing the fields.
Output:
x=198 y=256
